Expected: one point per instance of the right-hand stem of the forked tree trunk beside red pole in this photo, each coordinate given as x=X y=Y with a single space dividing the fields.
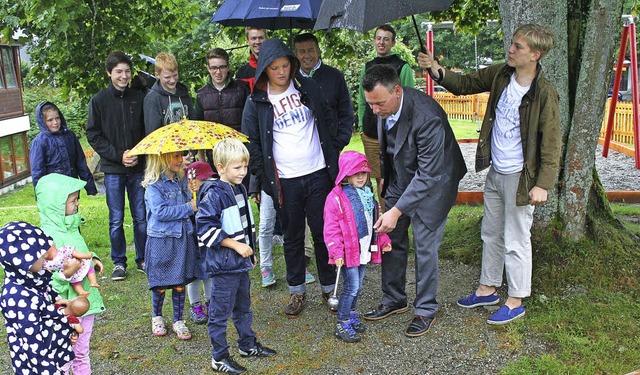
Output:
x=601 y=26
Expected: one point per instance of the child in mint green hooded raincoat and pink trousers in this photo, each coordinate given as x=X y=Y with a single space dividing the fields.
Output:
x=57 y=197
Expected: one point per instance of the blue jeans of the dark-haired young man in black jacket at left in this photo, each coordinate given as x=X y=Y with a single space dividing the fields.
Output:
x=115 y=185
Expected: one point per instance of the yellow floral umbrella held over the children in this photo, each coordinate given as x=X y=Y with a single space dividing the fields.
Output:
x=185 y=135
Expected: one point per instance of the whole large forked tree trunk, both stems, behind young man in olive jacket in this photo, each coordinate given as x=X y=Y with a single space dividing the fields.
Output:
x=587 y=35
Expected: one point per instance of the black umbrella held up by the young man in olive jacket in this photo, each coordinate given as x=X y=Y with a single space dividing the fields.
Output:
x=364 y=15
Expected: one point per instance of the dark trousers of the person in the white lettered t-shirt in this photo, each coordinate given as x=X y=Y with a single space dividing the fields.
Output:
x=304 y=197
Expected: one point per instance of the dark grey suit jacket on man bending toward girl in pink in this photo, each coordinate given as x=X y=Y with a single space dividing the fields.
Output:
x=427 y=160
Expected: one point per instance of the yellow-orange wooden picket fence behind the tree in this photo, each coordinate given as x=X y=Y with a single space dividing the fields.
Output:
x=472 y=107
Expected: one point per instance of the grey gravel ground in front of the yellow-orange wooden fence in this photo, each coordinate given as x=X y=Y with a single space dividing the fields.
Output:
x=617 y=172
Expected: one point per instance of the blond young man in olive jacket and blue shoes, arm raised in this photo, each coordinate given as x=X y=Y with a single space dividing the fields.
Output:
x=520 y=141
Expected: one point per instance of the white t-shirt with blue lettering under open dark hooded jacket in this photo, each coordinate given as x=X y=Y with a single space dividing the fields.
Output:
x=296 y=145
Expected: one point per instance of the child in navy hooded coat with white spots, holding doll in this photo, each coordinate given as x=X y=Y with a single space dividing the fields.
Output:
x=40 y=337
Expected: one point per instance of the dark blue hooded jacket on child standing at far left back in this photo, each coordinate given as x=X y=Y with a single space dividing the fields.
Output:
x=58 y=152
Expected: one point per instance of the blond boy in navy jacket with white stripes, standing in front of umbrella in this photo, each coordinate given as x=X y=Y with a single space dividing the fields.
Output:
x=226 y=230
